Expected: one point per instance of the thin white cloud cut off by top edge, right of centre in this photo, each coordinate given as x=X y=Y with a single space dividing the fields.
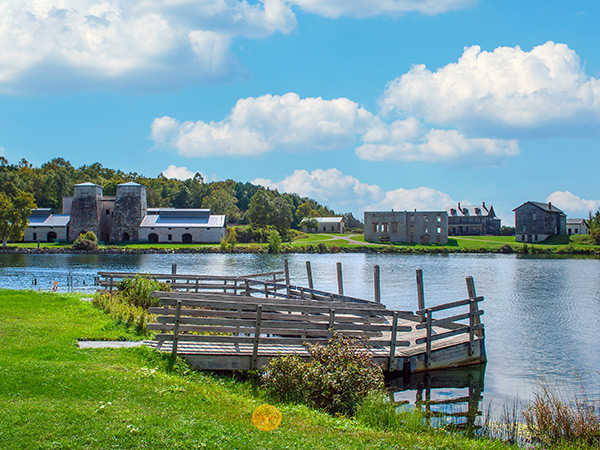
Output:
x=367 y=8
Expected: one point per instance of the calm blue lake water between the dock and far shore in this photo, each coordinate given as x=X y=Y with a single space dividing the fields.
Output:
x=542 y=316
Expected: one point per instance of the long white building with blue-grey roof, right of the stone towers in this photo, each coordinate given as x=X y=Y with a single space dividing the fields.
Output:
x=181 y=225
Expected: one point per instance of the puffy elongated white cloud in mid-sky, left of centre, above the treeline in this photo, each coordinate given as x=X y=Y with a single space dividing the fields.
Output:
x=267 y=123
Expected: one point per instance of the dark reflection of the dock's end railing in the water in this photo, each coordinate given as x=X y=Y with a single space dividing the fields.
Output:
x=448 y=397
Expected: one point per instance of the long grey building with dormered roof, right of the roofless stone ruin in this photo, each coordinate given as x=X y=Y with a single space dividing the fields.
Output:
x=473 y=220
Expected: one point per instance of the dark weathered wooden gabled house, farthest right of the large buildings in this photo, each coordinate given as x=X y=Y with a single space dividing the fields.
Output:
x=536 y=221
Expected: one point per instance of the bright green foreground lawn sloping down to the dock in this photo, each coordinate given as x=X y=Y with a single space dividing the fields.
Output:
x=56 y=396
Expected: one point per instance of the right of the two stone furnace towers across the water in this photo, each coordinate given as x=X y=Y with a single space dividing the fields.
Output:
x=130 y=209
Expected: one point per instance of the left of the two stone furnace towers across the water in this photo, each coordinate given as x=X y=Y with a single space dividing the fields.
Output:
x=85 y=210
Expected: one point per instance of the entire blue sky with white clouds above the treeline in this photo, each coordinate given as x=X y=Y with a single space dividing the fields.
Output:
x=359 y=104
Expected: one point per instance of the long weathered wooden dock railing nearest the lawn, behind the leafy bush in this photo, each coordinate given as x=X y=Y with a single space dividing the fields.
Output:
x=270 y=323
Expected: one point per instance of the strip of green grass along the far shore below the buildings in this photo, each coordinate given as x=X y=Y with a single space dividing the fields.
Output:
x=332 y=243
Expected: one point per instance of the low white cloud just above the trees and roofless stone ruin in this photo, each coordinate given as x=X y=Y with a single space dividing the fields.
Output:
x=344 y=192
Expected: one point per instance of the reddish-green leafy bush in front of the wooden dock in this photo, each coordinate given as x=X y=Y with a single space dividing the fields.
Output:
x=338 y=377
